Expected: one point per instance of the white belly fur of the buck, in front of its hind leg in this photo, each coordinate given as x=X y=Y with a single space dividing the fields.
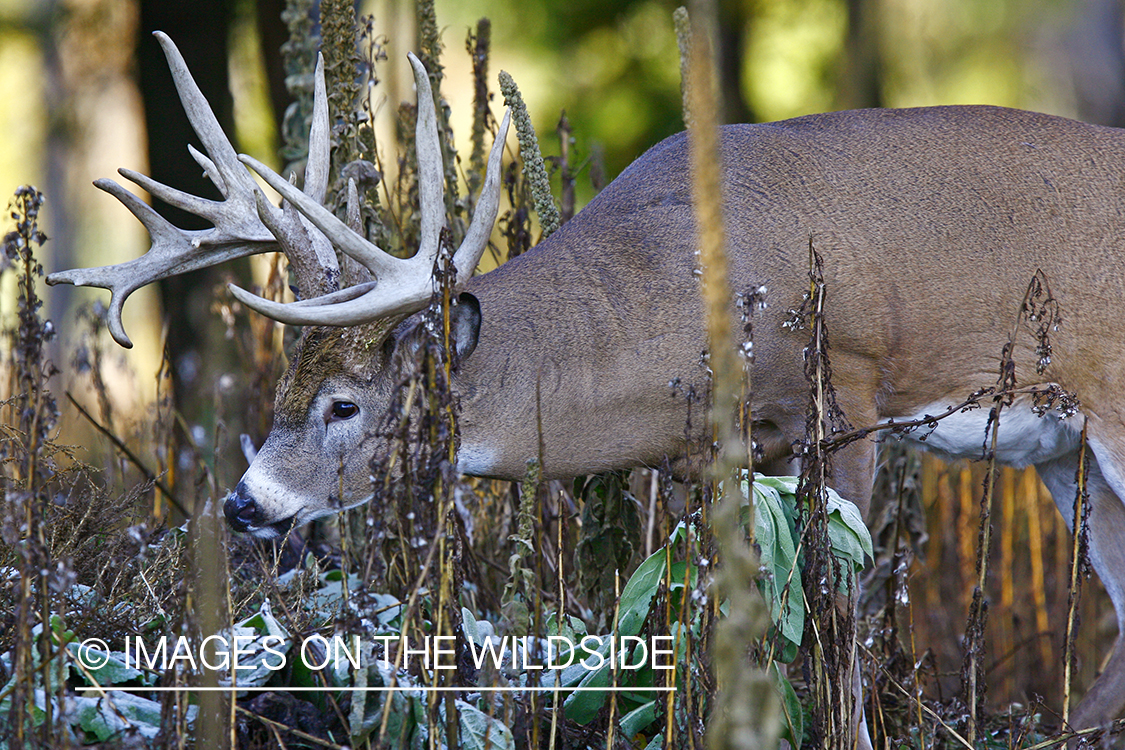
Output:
x=1024 y=438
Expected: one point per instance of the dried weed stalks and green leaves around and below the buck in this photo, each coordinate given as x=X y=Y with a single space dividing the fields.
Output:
x=133 y=550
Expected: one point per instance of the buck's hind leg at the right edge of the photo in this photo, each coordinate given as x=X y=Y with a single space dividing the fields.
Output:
x=1105 y=701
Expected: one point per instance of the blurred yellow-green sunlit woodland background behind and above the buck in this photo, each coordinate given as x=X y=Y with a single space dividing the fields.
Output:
x=71 y=110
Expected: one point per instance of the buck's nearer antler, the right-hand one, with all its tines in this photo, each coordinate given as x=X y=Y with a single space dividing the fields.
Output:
x=402 y=286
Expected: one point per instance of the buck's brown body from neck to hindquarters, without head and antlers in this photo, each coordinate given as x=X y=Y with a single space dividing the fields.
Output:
x=932 y=224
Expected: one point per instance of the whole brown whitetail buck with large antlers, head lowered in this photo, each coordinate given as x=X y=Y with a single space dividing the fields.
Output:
x=932 y=223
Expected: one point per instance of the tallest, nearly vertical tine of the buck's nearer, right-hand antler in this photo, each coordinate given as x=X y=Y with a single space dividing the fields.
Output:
x=431 y=189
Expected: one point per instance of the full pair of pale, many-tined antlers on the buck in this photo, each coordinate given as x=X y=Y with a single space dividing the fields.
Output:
x=245 y=223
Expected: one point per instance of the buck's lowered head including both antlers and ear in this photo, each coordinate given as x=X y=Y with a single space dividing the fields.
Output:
x=346 y=360
